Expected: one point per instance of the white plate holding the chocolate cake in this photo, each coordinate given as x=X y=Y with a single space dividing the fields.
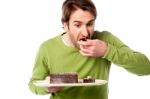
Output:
x=44 y=83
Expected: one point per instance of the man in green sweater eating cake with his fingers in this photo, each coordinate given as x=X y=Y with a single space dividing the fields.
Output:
x=83 y=50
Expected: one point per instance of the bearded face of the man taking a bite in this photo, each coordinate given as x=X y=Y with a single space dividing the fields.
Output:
x=80 y=26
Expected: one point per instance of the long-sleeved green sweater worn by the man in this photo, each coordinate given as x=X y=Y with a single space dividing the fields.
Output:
x=54 y=56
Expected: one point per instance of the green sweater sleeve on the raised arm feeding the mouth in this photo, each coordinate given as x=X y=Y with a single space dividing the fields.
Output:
x=121 y=55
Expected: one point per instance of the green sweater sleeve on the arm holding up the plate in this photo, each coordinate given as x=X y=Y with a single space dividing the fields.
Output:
x=40 y=71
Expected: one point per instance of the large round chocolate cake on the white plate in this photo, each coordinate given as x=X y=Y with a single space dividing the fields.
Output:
x=68 y=77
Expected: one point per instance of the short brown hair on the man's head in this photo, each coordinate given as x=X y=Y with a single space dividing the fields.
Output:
x=72 y=5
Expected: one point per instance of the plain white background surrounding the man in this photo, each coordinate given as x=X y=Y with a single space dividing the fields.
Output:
x=25 y=24
